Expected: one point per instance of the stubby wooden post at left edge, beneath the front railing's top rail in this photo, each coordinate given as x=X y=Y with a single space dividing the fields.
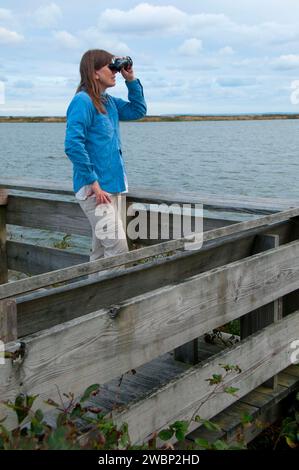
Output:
x=8 y=320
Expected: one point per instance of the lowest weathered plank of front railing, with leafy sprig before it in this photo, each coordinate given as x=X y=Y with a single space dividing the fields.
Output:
x=271 y=345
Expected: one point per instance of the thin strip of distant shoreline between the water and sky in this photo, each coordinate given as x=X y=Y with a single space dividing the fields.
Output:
x=166 y=118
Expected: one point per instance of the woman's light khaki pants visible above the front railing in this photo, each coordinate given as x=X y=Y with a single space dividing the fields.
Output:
x=108 y=235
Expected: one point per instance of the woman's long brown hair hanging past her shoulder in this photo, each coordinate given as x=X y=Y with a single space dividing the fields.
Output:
x=91 y=61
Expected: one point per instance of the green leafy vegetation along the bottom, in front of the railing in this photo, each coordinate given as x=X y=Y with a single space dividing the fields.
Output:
x=79 y=424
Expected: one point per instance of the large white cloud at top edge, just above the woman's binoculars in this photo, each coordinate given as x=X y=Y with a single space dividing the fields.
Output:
x=143 y=18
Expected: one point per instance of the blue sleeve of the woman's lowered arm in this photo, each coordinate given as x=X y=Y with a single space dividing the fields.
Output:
x=79 y=118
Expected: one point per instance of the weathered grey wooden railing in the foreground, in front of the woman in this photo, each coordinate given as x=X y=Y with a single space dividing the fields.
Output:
x=95 y=330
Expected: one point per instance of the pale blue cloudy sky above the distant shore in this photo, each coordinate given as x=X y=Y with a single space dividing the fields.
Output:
x=198 y=57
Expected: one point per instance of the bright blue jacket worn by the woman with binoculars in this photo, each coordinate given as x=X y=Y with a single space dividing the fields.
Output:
x=92 y=140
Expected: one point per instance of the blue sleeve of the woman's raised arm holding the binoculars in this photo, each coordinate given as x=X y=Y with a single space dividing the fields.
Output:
x=135 y=108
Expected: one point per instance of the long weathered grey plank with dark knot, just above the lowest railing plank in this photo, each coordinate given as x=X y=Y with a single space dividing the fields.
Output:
x=150 y=325
